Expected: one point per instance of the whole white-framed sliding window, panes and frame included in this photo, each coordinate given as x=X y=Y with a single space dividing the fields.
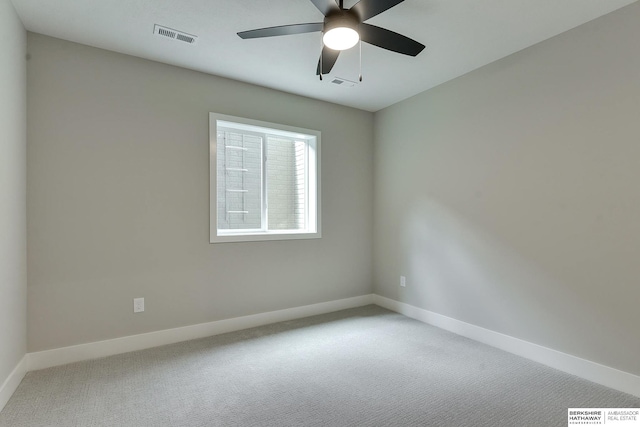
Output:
x=264 y=181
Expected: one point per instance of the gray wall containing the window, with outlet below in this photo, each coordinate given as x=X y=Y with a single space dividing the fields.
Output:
x=118 y=200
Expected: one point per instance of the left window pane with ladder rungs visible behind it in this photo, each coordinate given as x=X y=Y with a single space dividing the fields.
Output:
x=239 y=176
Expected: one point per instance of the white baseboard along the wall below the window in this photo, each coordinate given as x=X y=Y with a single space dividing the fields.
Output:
x=76 y=353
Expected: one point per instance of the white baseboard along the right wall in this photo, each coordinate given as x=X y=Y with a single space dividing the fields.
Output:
x=592 y=371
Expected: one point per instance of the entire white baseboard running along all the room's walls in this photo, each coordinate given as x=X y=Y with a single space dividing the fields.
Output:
x=607 y=376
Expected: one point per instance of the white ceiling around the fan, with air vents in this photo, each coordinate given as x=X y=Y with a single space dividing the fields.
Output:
x=460 y=35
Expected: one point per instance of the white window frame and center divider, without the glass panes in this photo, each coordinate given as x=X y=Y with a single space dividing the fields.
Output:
x=313 y=208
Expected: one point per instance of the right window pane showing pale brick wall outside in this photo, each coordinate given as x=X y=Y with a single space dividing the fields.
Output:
x=286 y=183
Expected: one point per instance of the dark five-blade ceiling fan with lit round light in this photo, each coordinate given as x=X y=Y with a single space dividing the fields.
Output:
x=343 y=28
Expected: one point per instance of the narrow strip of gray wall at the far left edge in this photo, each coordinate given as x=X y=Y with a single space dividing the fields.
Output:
x=13 y=216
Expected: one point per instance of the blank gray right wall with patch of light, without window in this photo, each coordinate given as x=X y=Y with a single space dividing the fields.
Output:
x=510 y=197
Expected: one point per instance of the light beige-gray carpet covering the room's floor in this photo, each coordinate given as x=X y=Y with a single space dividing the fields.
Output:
x=359 y=367
